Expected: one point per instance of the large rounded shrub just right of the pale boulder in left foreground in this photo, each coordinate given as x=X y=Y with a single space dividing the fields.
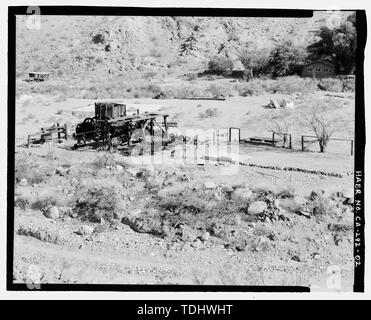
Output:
x=99 y=199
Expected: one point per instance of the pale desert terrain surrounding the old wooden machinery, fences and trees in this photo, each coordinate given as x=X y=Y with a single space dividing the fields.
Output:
x=269 y=216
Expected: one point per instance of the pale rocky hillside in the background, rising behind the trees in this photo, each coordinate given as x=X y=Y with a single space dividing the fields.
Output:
x=114 y=45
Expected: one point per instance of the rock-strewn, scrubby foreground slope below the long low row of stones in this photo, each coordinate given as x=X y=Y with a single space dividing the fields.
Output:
x=88 y=217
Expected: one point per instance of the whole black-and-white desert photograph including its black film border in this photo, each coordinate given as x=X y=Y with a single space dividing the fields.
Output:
x=186 y=148
